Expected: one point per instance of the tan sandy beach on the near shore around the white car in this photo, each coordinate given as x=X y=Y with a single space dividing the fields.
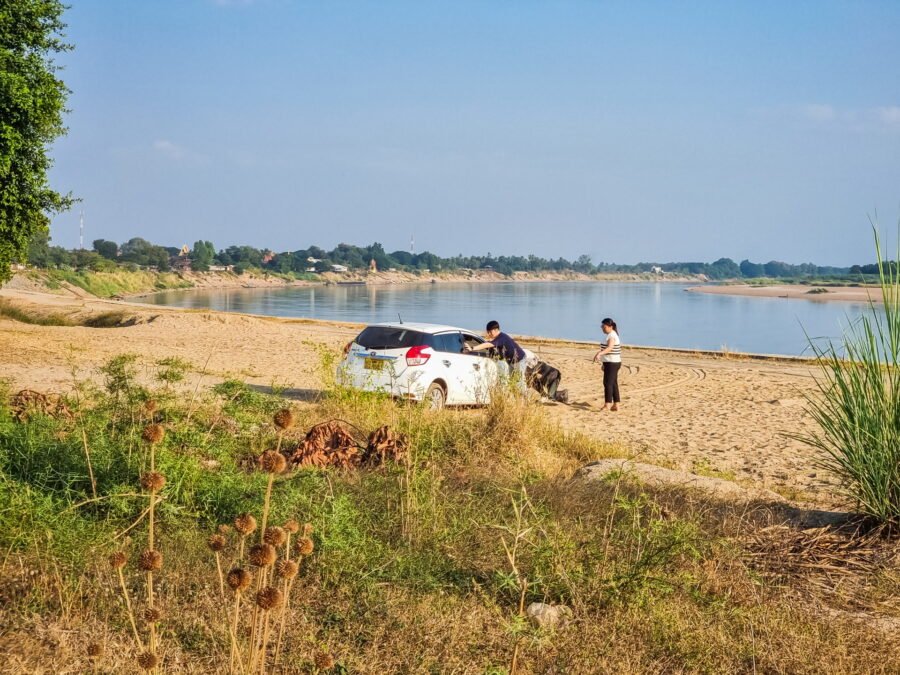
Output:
x=708 y=414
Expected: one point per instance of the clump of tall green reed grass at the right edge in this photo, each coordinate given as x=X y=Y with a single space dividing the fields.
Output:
x=857 y=405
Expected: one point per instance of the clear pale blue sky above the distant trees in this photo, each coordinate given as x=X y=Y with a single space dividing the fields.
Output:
x=629 y=131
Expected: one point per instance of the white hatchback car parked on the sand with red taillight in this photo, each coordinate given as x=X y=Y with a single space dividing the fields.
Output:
x=421 y=362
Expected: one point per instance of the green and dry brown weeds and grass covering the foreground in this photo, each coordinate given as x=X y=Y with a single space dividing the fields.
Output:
x=423 y=564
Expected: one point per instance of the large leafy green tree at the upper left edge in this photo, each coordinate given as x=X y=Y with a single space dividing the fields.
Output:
x=32 y=103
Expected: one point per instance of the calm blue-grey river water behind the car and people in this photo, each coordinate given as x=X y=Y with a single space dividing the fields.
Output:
x=651 y=314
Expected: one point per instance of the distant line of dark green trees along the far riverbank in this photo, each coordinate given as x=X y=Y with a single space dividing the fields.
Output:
x=138 y=252
